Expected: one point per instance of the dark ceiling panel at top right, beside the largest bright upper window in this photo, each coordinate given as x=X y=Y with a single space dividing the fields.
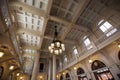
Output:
x=92 y=13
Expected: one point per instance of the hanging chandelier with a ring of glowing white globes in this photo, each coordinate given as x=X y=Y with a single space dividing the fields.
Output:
x=56 y=47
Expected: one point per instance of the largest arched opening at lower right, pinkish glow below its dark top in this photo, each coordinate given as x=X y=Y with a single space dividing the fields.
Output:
x=101 y=71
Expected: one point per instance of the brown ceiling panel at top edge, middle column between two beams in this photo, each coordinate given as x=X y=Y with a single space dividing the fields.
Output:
x=64 y=8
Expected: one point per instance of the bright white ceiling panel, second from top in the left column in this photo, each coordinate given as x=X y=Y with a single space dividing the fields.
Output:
x=30 y=21
